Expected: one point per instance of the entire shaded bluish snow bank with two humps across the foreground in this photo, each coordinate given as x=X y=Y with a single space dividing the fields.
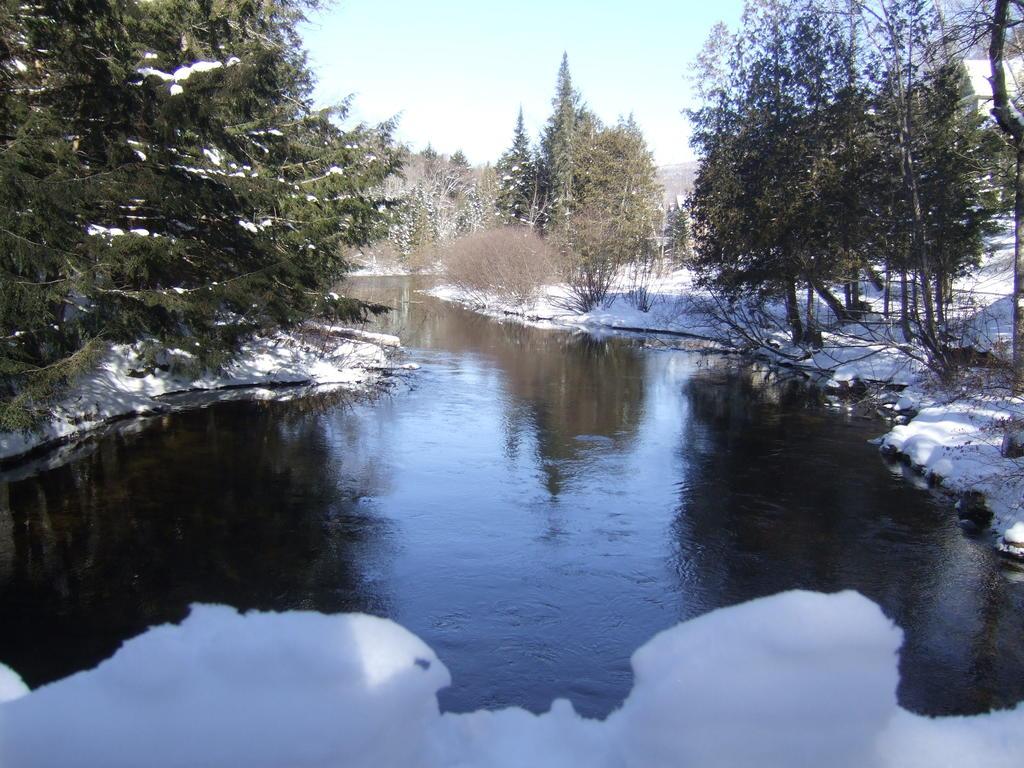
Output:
x=799 y=679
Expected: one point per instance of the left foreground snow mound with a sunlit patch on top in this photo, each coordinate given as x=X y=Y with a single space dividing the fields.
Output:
x=223 y=690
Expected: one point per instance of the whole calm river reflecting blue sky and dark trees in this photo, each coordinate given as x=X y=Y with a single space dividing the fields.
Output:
x=535 y=504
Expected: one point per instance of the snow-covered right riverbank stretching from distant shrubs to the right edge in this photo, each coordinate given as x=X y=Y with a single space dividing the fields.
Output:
x=953 y=435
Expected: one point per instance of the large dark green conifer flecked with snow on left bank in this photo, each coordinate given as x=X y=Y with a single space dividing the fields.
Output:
x=165 y=180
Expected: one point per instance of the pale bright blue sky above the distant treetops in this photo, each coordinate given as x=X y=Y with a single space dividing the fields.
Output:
x=456 y=72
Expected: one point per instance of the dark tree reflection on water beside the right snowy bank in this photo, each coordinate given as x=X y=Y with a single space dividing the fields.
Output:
x=782 y=496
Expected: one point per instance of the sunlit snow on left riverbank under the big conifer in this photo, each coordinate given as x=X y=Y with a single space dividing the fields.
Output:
x=318 y=356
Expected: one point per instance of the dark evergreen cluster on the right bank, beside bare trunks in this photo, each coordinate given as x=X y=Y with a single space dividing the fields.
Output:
x=835 y=148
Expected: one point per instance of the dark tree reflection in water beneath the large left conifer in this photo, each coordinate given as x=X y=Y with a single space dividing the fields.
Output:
x=234 y=504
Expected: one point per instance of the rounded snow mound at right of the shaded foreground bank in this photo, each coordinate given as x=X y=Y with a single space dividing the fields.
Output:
x=799 y=679
